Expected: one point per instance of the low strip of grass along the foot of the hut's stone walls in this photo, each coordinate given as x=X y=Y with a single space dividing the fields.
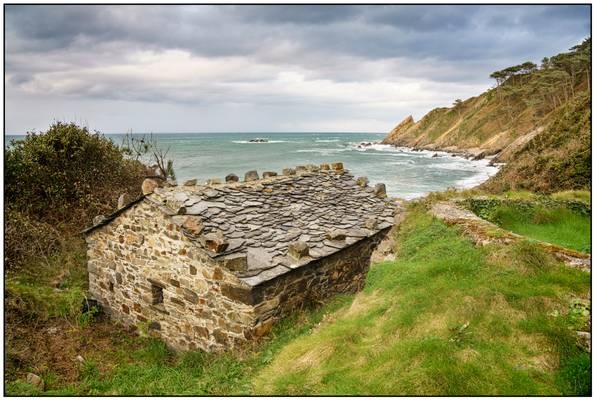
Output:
x=144 y=366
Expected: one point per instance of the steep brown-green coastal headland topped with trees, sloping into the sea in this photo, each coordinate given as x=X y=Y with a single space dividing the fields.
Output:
x=536 y=120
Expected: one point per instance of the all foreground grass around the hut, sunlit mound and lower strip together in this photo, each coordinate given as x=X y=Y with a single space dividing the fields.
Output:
x=447 y=318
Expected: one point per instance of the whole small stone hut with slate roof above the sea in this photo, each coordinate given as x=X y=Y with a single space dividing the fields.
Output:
x=211 y=266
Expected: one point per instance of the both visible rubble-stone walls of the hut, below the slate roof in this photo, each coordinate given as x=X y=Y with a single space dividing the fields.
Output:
x=142 y=257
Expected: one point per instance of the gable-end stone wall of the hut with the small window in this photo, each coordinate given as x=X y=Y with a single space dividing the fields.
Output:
x=143 y=250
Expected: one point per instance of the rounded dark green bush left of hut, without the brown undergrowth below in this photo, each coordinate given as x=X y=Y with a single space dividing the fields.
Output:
x=68 y=175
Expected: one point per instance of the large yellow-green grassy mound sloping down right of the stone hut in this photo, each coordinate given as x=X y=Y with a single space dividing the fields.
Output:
x=446 y=318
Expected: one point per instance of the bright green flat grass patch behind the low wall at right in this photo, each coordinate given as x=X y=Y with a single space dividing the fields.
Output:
x=559 y=225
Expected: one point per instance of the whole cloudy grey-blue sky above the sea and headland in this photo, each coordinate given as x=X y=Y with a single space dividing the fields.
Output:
x=263 y=68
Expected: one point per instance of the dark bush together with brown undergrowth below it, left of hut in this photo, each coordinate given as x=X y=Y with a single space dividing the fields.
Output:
x=55 y=183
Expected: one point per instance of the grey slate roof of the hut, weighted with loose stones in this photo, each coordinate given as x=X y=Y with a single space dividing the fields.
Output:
x=259 y=220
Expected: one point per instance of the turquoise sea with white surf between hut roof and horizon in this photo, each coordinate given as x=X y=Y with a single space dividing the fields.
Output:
x=406 y=173
